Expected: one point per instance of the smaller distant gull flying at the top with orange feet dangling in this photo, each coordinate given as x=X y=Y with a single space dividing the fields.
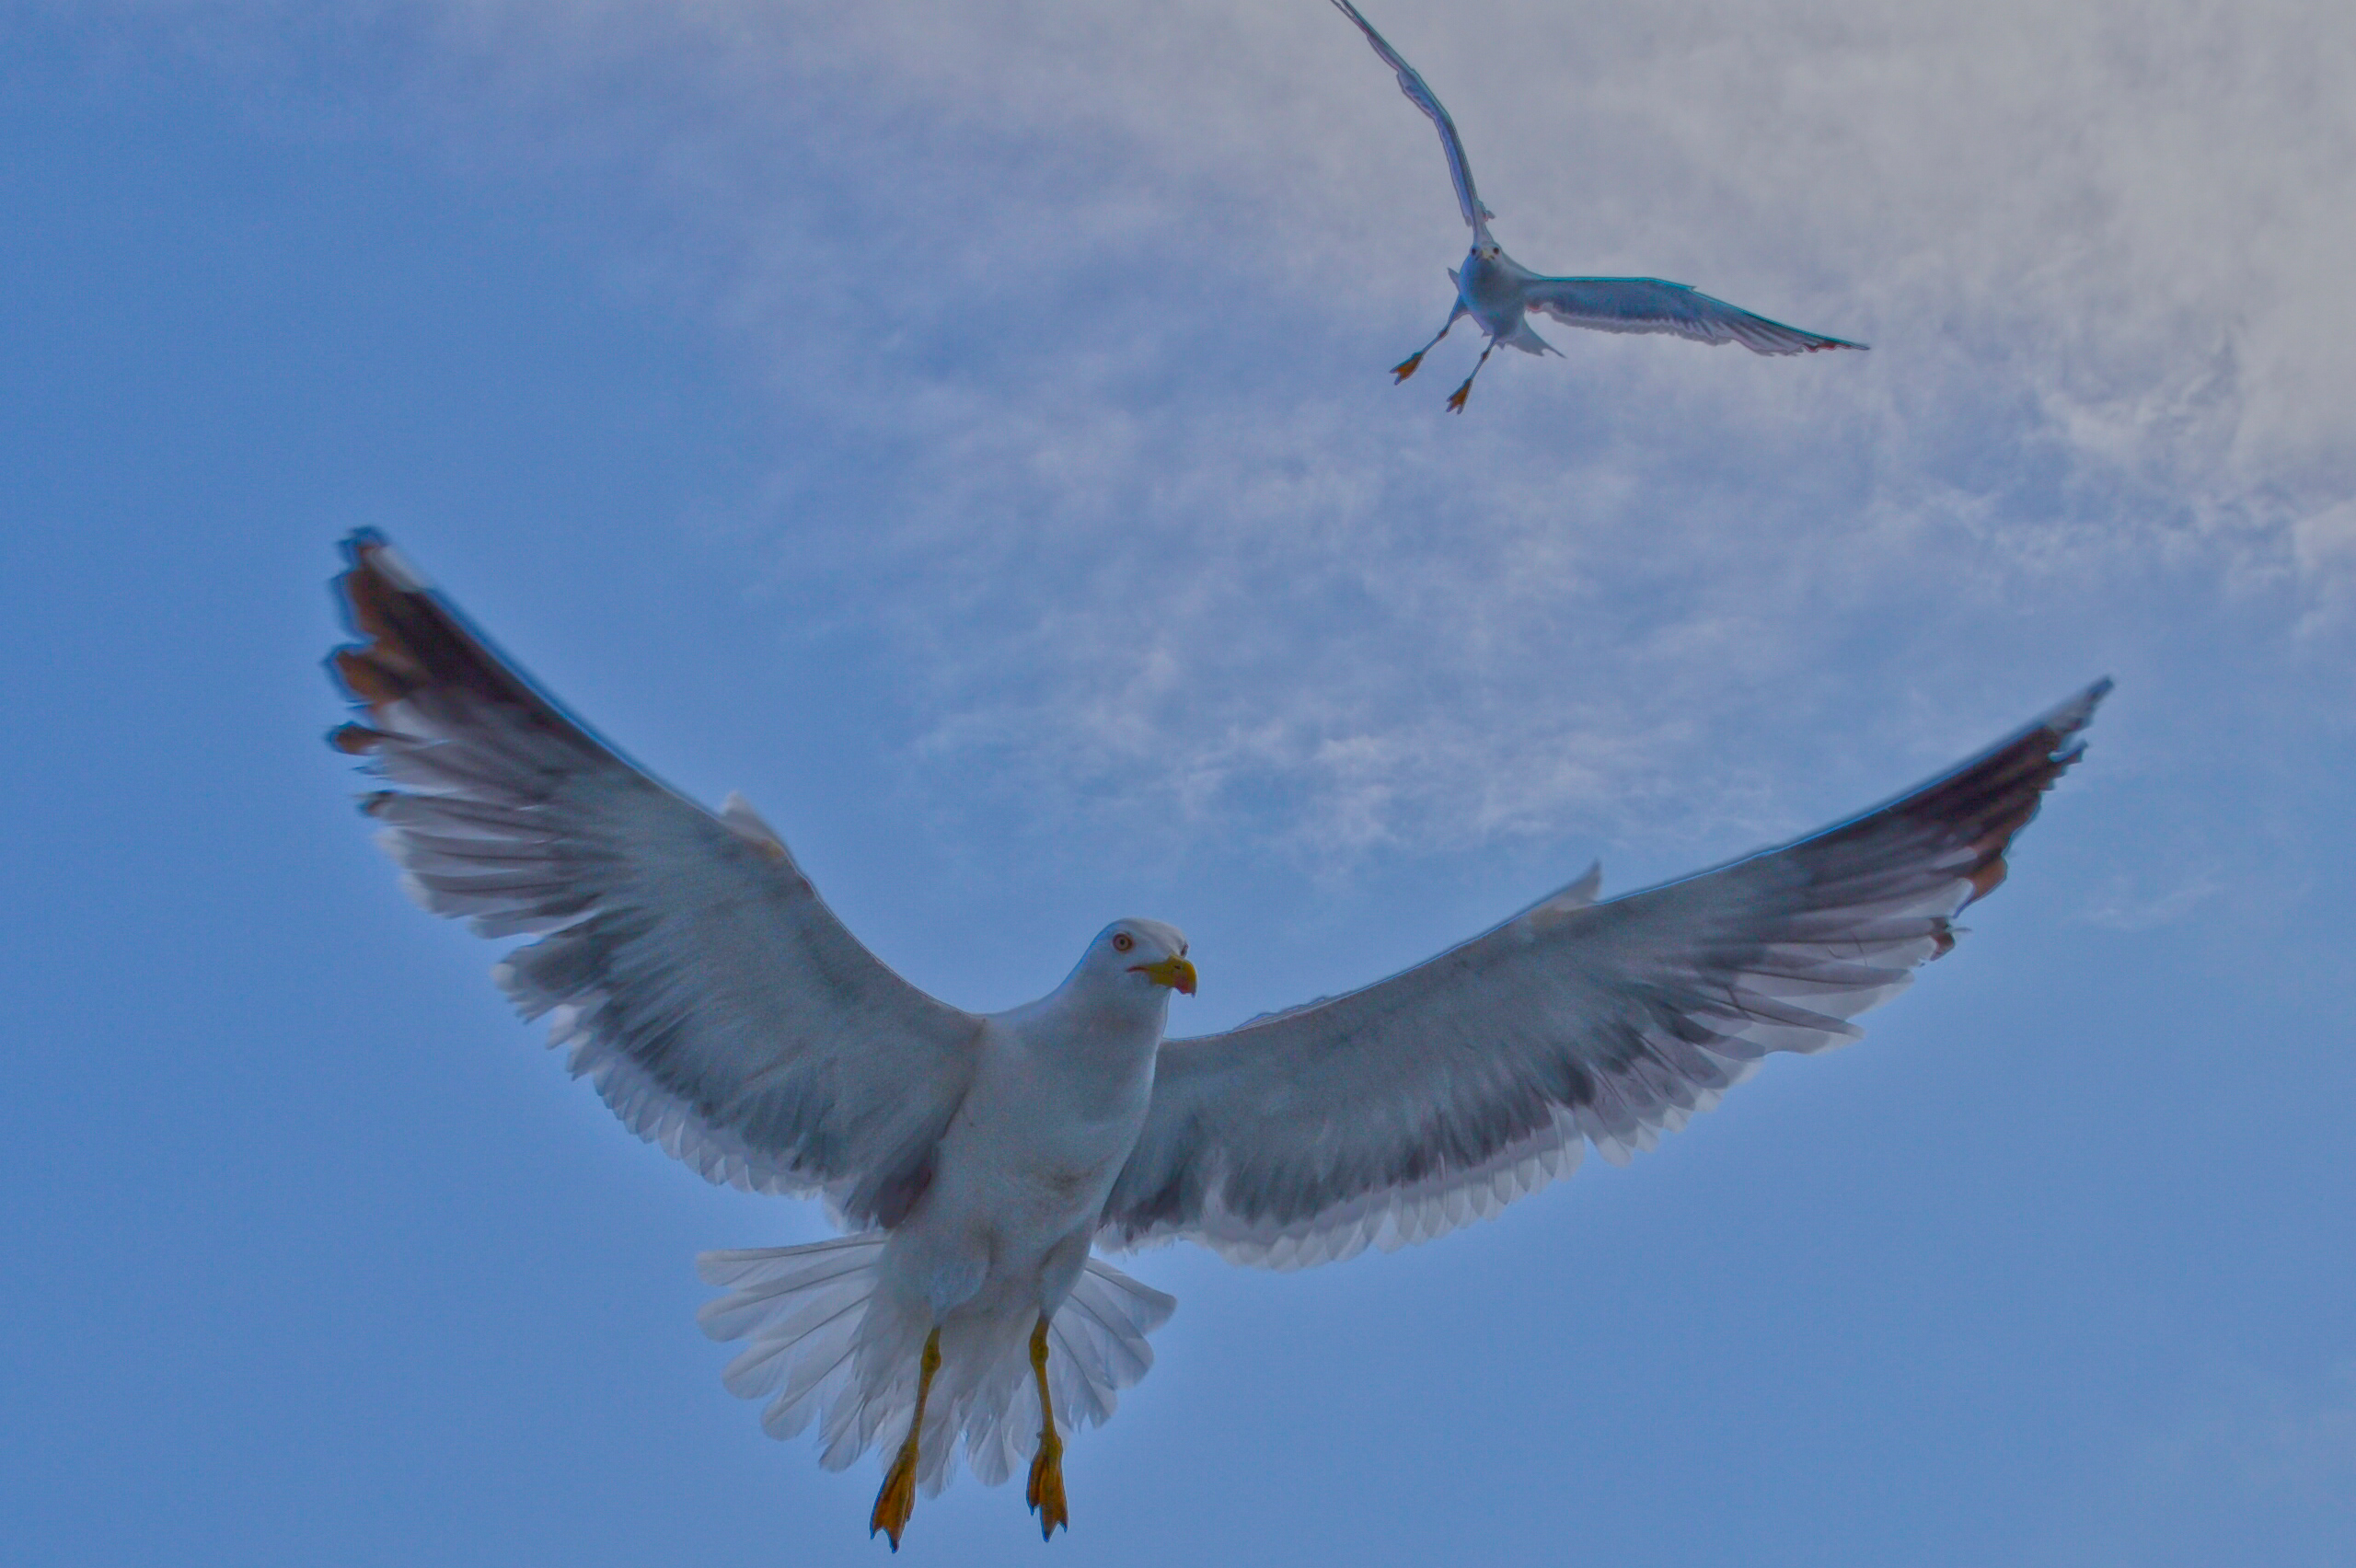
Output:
x=1500 y=293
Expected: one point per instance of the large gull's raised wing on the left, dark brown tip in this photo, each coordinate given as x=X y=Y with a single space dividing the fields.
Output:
x=706 y=990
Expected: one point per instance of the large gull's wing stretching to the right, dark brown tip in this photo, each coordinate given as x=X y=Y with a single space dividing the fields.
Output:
x=1438 y=1096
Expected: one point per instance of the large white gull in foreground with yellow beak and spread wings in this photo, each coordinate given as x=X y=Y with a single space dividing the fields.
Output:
x=977 y=1160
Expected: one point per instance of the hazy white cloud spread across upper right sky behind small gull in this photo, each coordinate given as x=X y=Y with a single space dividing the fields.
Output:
x=1076 y=324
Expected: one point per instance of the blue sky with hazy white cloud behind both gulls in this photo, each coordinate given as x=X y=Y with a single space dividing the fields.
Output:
x=962 y=430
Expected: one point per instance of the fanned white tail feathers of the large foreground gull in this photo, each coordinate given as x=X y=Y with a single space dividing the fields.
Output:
x=823 y=1348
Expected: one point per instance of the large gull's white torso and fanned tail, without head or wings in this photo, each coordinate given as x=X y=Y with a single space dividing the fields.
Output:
x=998 y=1242
